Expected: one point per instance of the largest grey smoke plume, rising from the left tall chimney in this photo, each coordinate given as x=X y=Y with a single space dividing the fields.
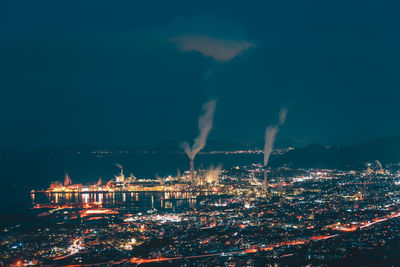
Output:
x=205 y=126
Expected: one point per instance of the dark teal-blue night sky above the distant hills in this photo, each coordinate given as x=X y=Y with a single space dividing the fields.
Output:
x=137 y=72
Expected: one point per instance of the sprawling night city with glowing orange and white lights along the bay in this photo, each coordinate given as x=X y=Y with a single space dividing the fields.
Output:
x=302 y=216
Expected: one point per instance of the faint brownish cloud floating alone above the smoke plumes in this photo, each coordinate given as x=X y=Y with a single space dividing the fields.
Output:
x=221 y=50
